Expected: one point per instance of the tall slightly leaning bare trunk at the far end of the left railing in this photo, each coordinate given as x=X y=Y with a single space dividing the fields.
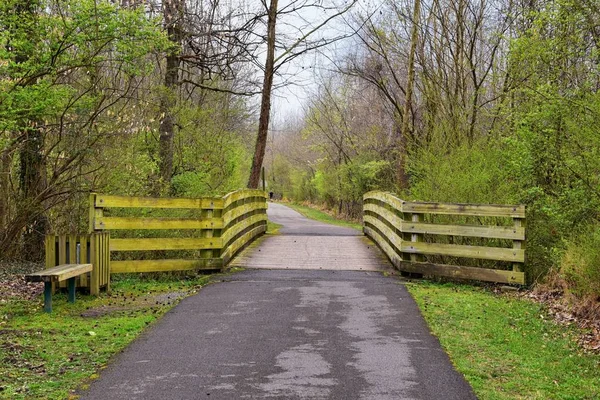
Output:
x=265 y=106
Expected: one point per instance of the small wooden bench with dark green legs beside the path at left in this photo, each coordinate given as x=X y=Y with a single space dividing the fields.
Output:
x=56 y=274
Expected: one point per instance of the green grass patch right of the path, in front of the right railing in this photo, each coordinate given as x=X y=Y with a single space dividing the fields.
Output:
x=507 y=348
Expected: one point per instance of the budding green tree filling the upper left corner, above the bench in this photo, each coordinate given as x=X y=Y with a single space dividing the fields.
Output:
x=54 y=61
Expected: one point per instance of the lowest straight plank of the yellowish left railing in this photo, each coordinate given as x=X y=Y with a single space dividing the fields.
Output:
x=118 y=267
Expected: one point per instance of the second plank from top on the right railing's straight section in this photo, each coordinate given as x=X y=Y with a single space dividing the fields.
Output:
x=492 y=232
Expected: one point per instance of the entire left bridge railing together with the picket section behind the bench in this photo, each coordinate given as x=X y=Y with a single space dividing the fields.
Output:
x=212 y=229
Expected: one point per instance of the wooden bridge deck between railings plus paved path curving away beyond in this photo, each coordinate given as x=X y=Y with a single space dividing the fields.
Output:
x=307 y=244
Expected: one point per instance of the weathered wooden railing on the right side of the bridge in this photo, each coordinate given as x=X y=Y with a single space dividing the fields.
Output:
x=398 y=228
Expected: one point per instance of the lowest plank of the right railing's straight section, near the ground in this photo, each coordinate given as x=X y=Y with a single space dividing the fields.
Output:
x=459 y=272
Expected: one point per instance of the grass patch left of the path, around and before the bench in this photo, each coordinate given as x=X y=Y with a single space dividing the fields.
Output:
x=48 y=356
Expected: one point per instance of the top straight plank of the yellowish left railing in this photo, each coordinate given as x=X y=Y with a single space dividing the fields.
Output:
x=106 y=201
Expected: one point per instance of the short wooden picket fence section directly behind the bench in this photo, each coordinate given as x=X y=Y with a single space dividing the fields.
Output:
x=82 y=249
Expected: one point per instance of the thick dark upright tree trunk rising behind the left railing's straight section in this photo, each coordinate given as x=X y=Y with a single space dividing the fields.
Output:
x=173 y=16
